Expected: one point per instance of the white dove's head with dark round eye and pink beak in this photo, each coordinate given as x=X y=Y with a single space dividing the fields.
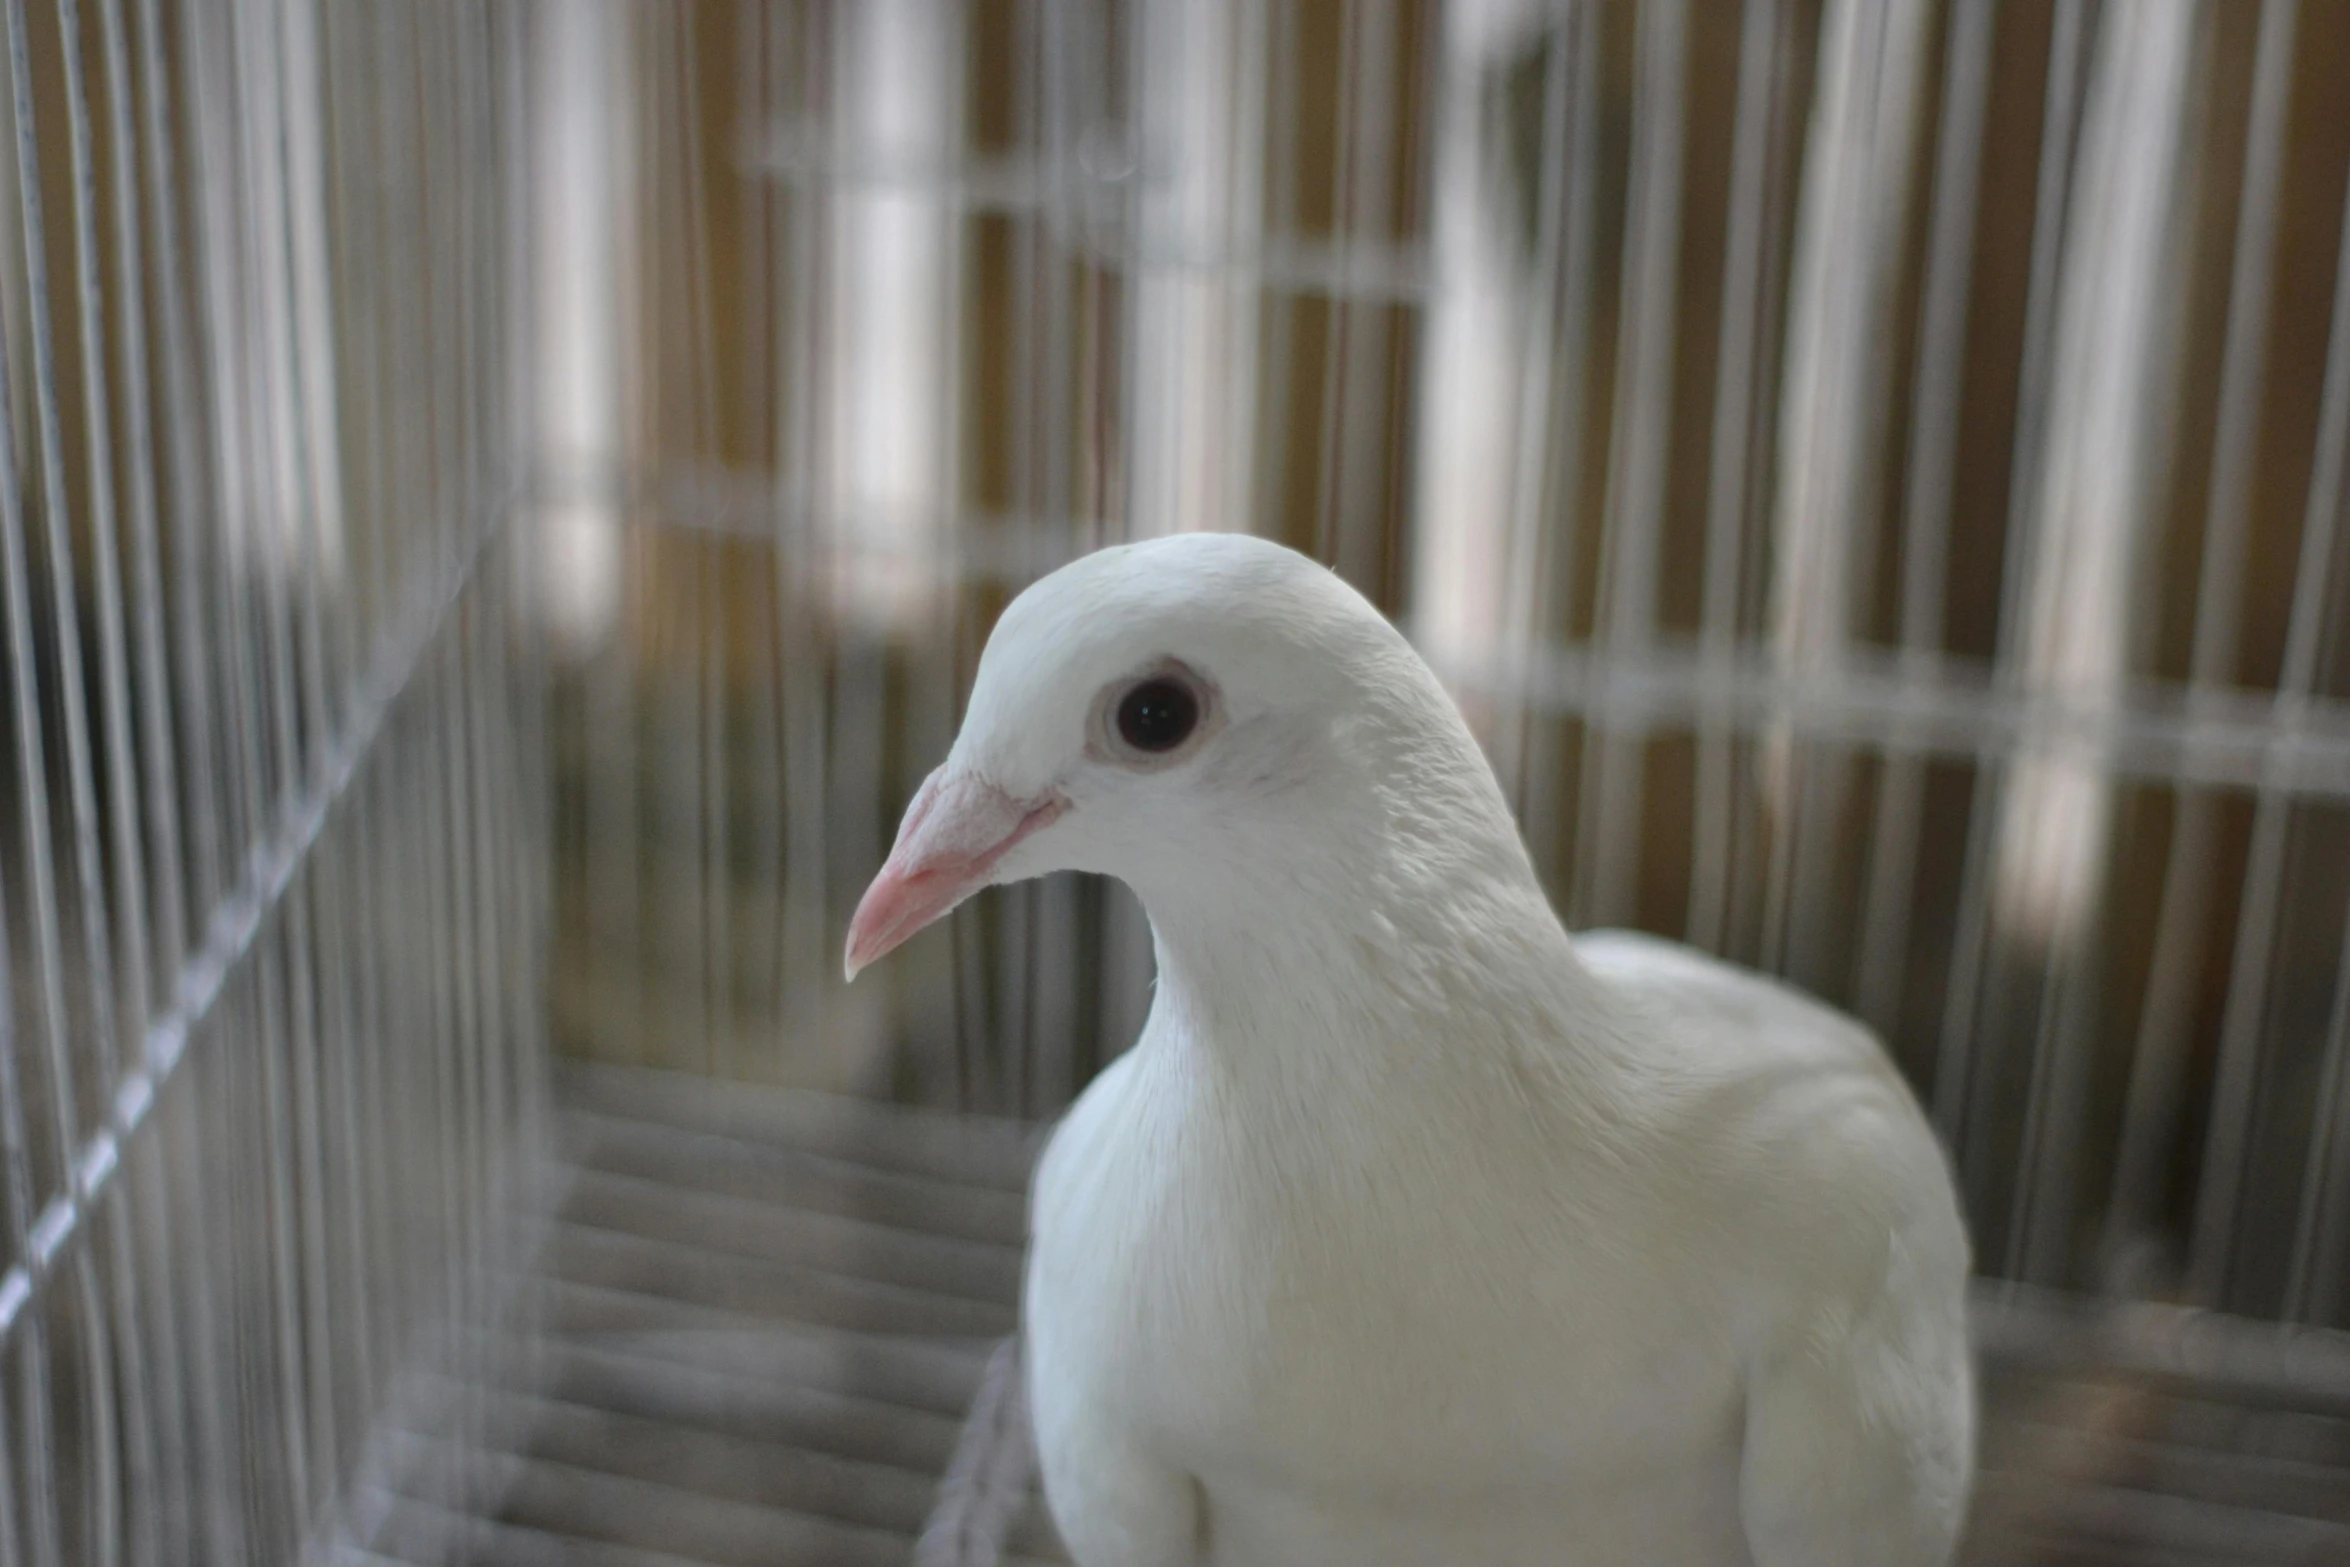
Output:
x=1181 y=713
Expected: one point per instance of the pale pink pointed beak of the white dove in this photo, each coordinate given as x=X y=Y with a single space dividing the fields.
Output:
x=953 y=838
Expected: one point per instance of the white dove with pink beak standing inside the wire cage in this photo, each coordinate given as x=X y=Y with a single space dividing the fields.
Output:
x=1414 y=1232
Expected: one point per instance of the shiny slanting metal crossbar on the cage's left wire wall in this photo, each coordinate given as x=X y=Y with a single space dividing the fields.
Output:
x=236 y=924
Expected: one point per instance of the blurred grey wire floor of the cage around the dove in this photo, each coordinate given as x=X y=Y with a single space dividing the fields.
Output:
x=758 y=1319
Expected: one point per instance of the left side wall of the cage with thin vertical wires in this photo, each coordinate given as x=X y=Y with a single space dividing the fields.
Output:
x=217 y=650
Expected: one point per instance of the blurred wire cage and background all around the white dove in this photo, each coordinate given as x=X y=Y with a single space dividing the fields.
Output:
x=499 y=509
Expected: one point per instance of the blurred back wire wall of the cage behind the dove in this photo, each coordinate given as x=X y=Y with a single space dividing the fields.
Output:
x=1754 y=332
